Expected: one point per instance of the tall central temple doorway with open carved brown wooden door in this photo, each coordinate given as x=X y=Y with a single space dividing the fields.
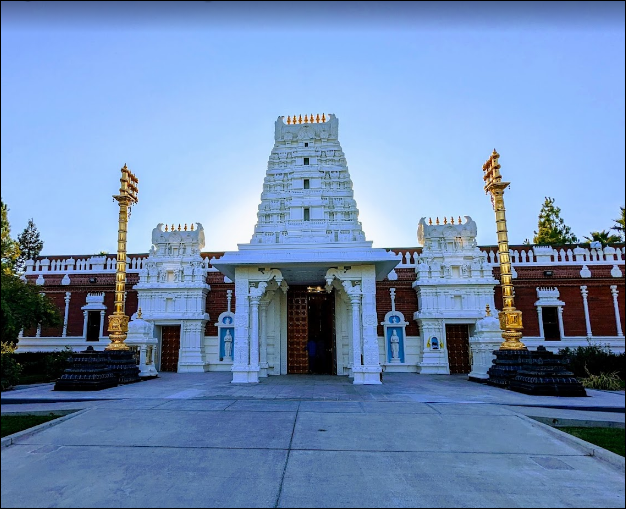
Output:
x=311 y=331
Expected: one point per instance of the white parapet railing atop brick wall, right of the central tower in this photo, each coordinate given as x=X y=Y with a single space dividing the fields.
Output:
x=537 y=256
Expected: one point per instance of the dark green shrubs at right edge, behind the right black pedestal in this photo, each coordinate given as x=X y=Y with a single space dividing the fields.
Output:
x=594 y=360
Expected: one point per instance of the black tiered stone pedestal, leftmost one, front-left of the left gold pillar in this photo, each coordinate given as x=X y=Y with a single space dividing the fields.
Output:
x=88 y=371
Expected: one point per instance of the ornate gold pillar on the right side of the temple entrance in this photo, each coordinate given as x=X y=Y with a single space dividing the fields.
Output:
x=510 y=318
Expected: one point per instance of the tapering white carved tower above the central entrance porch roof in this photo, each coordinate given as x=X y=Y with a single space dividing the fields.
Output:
x=307 y=193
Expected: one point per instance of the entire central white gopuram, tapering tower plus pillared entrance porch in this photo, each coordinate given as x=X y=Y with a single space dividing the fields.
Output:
x=307 y=233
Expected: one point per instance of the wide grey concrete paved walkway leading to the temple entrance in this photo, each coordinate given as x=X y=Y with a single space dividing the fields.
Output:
x=196 y=440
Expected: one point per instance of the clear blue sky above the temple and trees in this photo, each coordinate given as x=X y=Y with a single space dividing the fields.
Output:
x=187 y=94
